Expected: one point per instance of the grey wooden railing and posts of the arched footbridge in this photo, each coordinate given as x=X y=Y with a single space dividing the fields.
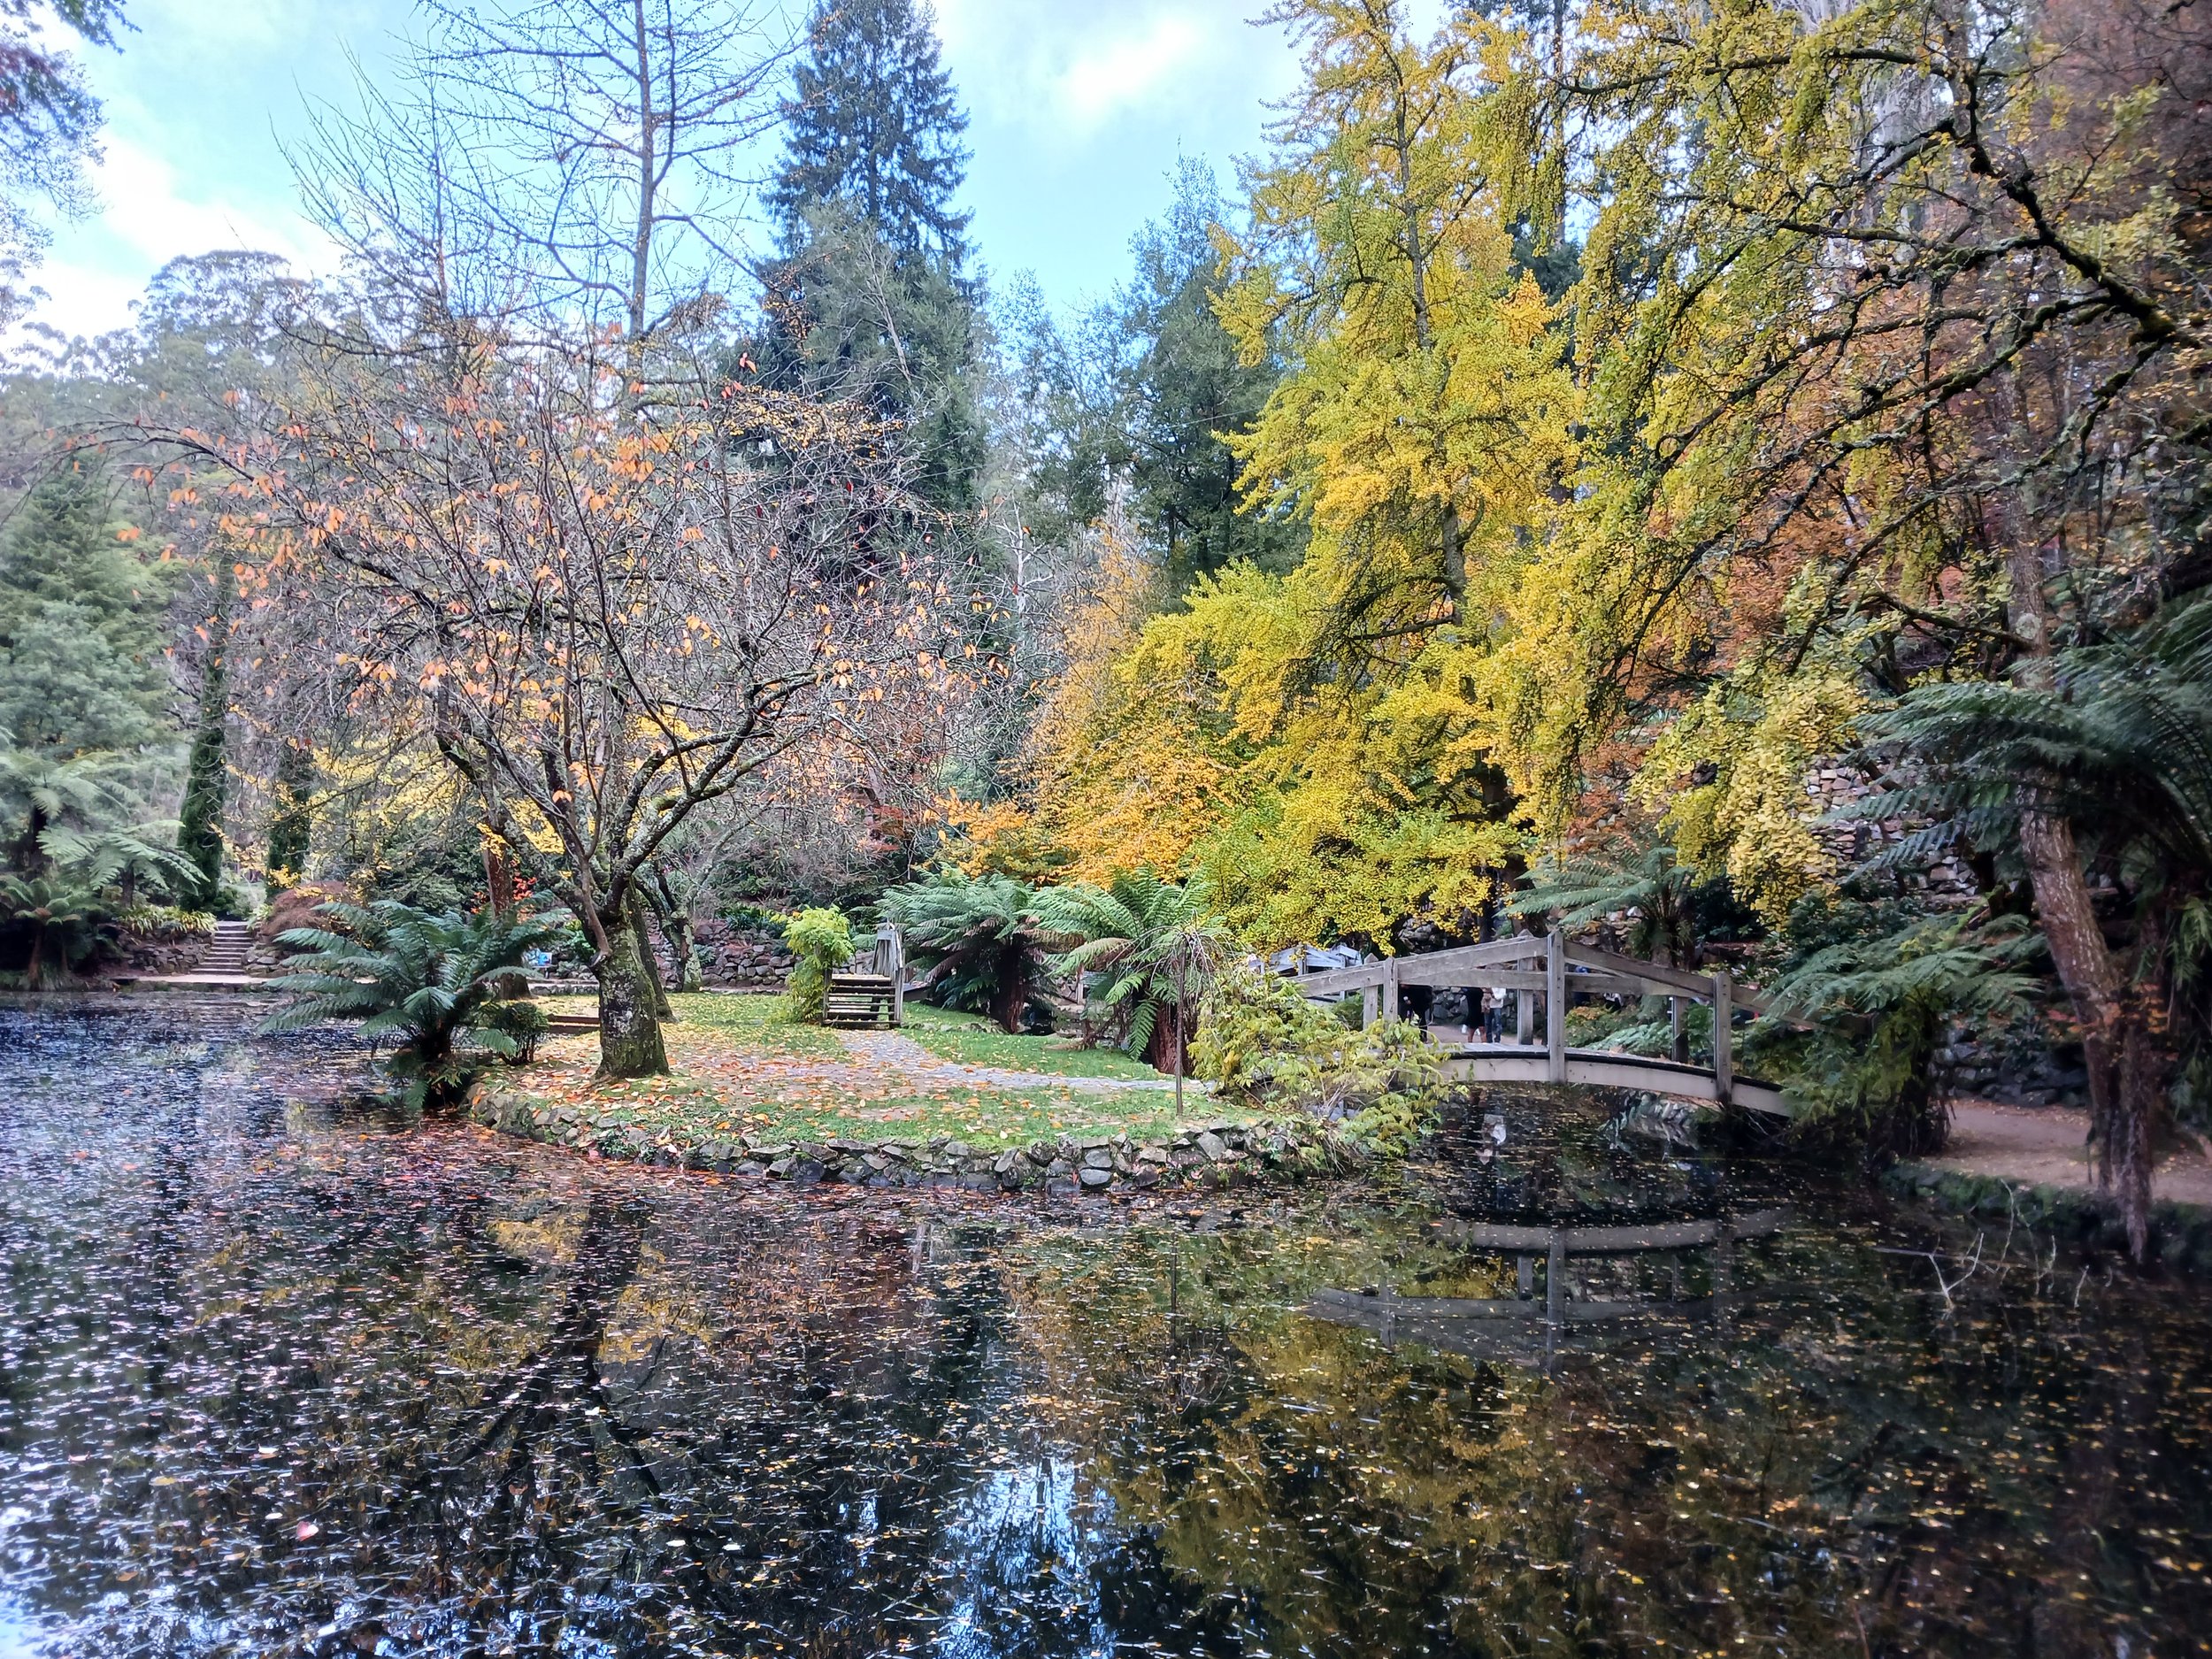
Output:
x=1547 y=974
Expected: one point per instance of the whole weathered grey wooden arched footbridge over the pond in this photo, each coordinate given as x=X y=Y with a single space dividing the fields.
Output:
x=1552 y=972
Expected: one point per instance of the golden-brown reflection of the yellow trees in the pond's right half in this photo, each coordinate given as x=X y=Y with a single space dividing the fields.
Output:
x=1850 y=1459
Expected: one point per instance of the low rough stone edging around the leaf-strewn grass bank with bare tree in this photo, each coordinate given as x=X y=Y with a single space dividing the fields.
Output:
x=1196 y=1156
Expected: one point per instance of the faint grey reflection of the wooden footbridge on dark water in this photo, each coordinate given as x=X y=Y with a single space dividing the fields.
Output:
x=1527 y=1331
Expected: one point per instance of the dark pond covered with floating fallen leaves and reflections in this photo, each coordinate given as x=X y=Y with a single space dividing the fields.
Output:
x=282 y=1377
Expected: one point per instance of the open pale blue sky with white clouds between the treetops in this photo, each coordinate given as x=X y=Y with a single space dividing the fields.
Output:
x=1078 y=112
